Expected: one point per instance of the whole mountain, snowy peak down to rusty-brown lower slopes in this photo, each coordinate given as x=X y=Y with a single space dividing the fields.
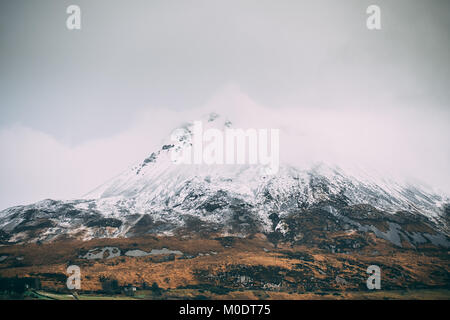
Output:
x=231 y=232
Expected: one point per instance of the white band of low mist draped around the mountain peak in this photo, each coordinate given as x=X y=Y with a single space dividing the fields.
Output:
x=404 y=145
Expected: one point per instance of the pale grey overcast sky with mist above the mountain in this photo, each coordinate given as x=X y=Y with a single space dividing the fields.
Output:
x=78 y=107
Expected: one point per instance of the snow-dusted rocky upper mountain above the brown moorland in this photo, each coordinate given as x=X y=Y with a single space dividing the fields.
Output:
x=158 y=196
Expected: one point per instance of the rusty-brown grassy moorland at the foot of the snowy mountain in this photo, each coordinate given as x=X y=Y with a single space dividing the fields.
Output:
x=218 y=267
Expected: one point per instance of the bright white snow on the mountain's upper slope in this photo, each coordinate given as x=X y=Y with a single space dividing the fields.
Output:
x=157 y=180
